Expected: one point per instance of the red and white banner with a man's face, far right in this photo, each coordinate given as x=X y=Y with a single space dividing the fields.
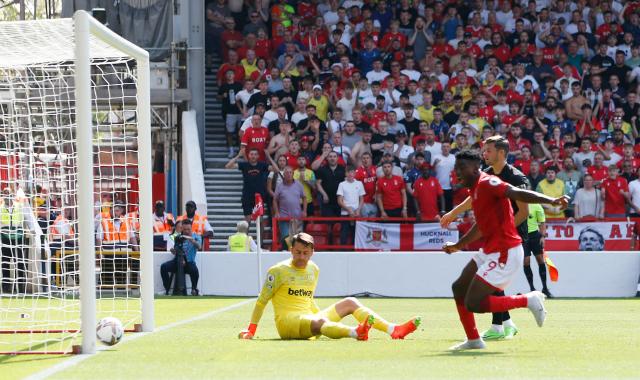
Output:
x=596 y=236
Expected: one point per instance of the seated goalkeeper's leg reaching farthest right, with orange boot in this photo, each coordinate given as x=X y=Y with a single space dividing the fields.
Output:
x=353 y=306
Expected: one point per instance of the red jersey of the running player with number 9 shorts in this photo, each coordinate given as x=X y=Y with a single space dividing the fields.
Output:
x=494 y=215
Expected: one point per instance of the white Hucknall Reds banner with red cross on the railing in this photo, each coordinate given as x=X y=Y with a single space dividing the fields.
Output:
x=402 y=237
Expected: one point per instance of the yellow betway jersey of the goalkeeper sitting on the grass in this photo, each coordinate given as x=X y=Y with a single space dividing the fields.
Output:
x=290 y=290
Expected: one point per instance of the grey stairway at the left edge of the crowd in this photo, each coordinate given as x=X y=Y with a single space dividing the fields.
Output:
x=223 y=187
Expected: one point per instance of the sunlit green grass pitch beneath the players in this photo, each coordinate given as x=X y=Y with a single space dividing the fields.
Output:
x=581 y=338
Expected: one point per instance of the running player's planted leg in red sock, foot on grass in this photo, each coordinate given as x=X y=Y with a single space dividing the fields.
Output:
x=460 y=288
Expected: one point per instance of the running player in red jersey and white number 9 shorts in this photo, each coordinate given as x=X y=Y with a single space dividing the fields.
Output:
x=501 y=259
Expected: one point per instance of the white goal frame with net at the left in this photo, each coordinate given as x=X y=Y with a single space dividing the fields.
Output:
x=74 y=184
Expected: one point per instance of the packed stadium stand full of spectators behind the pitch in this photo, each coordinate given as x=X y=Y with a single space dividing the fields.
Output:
x=548 y=76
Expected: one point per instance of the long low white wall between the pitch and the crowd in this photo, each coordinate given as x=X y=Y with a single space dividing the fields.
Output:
x=411 y=274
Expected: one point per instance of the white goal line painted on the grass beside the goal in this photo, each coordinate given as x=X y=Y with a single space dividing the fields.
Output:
x=77 y=359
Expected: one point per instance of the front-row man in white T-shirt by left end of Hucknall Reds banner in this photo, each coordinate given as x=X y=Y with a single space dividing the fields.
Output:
x=350 y=198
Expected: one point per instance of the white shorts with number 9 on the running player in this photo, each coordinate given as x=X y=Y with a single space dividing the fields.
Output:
x=497 y=274
